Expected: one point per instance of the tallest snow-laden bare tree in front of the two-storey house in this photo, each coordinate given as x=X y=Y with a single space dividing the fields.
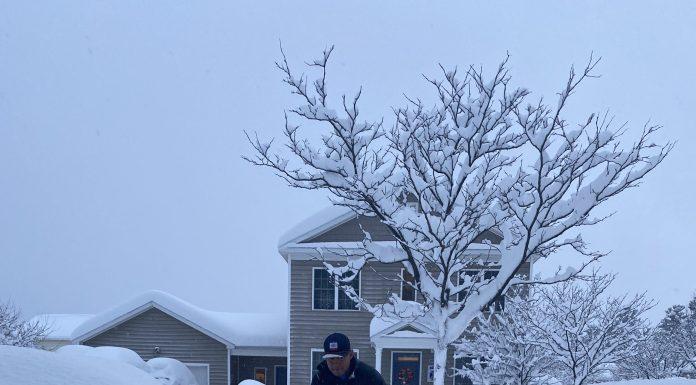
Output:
x=481 y=158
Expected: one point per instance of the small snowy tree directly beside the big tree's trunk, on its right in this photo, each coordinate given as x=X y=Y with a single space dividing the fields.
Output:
x=502 y=349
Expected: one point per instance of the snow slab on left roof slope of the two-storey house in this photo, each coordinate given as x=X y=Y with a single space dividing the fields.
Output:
x=316 y=224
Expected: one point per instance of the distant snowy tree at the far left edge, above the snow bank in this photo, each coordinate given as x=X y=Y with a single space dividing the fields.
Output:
x=17 y=332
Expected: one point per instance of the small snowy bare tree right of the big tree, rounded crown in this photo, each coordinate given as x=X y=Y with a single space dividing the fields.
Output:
x=585 y=329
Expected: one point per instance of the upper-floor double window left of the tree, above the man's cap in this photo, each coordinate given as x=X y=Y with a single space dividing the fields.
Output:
x=328 y=296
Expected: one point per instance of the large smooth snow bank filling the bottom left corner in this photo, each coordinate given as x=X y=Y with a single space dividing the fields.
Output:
x=24 y=366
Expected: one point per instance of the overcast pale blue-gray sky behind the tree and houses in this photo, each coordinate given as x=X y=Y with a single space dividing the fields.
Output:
x=121 y=132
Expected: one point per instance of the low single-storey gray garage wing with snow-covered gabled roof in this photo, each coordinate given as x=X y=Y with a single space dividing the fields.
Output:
x=220 y=348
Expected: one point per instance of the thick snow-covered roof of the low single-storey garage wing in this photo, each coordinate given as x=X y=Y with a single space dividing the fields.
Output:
x=232 y=329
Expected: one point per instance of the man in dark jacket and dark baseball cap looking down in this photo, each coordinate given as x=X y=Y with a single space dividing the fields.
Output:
x=340 y=367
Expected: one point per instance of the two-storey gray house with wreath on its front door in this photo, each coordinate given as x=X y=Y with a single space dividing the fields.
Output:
x=400 y=350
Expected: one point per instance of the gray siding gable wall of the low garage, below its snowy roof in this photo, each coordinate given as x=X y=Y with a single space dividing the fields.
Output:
x=175 y=339
